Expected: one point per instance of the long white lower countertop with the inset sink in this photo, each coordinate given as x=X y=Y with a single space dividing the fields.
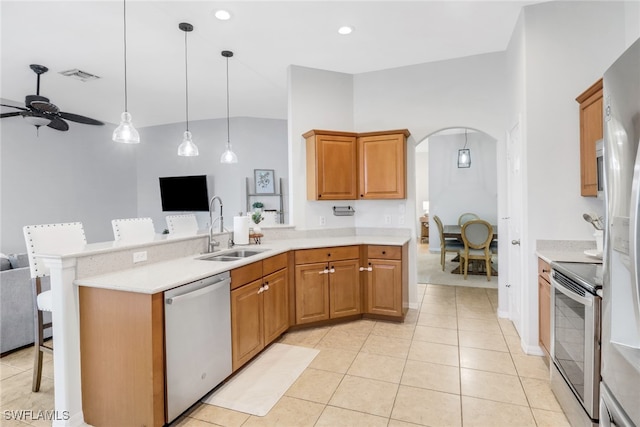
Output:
x=158 y=277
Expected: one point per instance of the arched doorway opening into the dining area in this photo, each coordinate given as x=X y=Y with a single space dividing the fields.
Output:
x=448 y=191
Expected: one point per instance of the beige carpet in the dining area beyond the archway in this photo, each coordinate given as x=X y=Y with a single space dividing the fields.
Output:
x=430 y=271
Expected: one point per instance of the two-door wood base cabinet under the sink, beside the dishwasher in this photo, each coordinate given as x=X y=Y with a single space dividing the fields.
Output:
x=259 y=307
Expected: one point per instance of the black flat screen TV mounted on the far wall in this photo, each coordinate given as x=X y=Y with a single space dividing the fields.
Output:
x=184 y=193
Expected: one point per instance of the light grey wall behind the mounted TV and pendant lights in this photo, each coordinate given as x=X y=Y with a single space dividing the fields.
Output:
x=258 y=143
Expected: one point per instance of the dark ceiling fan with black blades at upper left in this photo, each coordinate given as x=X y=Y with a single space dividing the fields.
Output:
x=40 y=112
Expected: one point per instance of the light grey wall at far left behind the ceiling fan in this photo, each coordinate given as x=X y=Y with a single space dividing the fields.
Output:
x=77 y=175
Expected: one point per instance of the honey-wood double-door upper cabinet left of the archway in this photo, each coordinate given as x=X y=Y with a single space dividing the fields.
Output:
x=349 y=166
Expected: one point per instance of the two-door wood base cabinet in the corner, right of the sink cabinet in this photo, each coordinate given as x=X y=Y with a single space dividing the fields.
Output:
x=327 y=283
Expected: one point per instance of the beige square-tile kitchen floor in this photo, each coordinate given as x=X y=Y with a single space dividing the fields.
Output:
x=451 y=363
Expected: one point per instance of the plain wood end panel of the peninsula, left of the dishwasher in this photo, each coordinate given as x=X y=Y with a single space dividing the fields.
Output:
x=122 y=357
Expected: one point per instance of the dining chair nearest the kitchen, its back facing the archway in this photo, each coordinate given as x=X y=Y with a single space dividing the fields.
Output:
x=477 y=235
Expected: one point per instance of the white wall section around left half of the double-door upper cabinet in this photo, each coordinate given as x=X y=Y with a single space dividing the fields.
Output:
x=317 y=100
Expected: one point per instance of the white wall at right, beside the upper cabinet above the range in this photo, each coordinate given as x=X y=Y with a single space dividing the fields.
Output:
x=566 y=47
